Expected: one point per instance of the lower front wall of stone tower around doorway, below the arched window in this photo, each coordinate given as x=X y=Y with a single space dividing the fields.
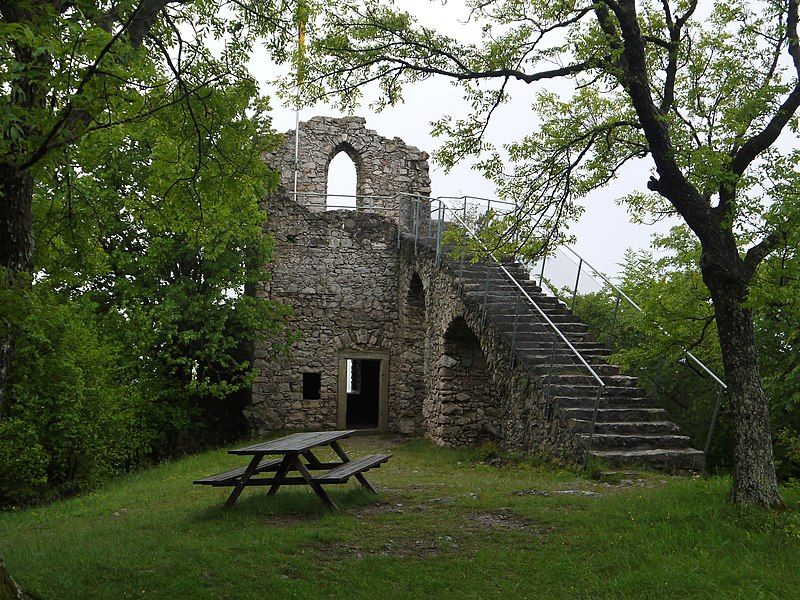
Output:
x=338 y=270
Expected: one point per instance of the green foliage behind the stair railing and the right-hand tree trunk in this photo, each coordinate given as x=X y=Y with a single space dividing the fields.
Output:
x=674 y=299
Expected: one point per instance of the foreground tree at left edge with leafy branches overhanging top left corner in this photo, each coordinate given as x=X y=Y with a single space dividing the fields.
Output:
x=72 y=68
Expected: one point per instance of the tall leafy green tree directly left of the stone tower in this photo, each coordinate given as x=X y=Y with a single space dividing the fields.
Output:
x=160 y=229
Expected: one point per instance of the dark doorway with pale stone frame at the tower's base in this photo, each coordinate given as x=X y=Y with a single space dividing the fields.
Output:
x=363 y=384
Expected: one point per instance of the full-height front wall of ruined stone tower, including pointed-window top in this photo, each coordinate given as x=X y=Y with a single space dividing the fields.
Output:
x=338 y=269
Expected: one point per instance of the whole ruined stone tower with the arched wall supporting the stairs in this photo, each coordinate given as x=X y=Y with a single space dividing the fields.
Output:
x=389 y=340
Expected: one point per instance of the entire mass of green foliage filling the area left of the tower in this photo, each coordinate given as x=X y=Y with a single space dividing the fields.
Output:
x=144 y=135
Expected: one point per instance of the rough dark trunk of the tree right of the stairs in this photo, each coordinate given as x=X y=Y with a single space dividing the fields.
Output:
x=754 y=480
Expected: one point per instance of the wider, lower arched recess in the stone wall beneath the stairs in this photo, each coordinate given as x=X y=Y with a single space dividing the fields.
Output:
x=465 y=399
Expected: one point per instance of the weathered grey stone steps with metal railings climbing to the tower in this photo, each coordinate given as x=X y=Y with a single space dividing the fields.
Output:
x=630 y=429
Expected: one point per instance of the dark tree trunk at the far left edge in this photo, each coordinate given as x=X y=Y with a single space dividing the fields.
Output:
x=16 y=248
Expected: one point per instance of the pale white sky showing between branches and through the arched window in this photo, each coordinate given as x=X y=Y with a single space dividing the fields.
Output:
x=603 y=233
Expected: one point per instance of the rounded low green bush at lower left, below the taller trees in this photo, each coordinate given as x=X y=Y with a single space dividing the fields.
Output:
x=75 y=417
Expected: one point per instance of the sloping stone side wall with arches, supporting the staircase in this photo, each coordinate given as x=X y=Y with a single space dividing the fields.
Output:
x=511 y=399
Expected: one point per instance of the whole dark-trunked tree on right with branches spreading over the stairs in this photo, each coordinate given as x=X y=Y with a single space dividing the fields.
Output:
x=704 y=92
